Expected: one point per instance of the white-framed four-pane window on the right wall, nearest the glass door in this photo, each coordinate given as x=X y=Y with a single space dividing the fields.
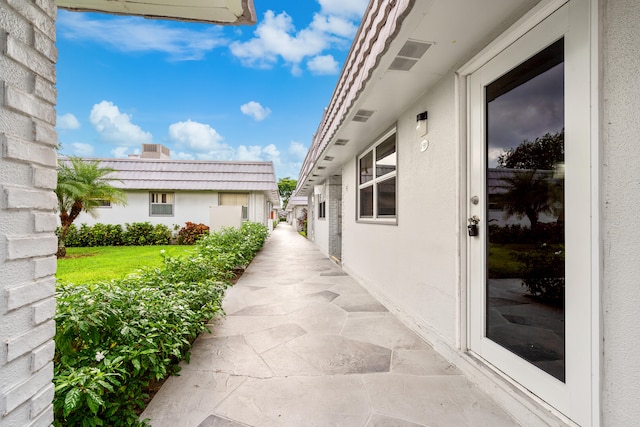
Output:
x=377 y=169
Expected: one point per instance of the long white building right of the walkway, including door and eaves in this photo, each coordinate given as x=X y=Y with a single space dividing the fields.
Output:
x=432 y=92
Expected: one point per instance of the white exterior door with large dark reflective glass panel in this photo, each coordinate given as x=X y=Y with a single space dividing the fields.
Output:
x=529 y=189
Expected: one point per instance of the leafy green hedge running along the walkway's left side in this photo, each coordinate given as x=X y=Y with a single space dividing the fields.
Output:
x=113 y=338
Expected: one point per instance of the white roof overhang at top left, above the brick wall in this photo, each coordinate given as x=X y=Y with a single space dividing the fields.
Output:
x=224 y=12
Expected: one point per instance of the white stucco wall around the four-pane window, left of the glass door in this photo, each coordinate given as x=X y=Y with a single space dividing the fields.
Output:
x=413 y=264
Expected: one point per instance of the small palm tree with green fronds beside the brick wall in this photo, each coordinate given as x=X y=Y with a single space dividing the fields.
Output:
x=82 y=186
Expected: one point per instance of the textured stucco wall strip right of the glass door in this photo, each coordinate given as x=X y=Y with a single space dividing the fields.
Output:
x=620 y=208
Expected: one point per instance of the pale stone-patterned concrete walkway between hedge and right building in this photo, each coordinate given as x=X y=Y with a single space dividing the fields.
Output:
x=304 y=345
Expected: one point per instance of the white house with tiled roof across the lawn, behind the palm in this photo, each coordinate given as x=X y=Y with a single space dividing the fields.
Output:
x=171 y=192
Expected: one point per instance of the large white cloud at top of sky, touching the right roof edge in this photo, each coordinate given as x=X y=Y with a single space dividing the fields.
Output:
x=276 y=37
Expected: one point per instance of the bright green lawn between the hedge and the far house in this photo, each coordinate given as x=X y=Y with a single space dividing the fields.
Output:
x=95 y=264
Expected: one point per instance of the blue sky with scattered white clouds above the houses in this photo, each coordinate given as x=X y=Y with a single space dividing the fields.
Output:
x=207 y=92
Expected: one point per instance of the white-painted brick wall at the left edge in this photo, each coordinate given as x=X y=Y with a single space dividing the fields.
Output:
x=27 y=202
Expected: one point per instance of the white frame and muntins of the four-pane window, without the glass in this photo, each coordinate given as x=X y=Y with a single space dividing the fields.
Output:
x=376 y=180
